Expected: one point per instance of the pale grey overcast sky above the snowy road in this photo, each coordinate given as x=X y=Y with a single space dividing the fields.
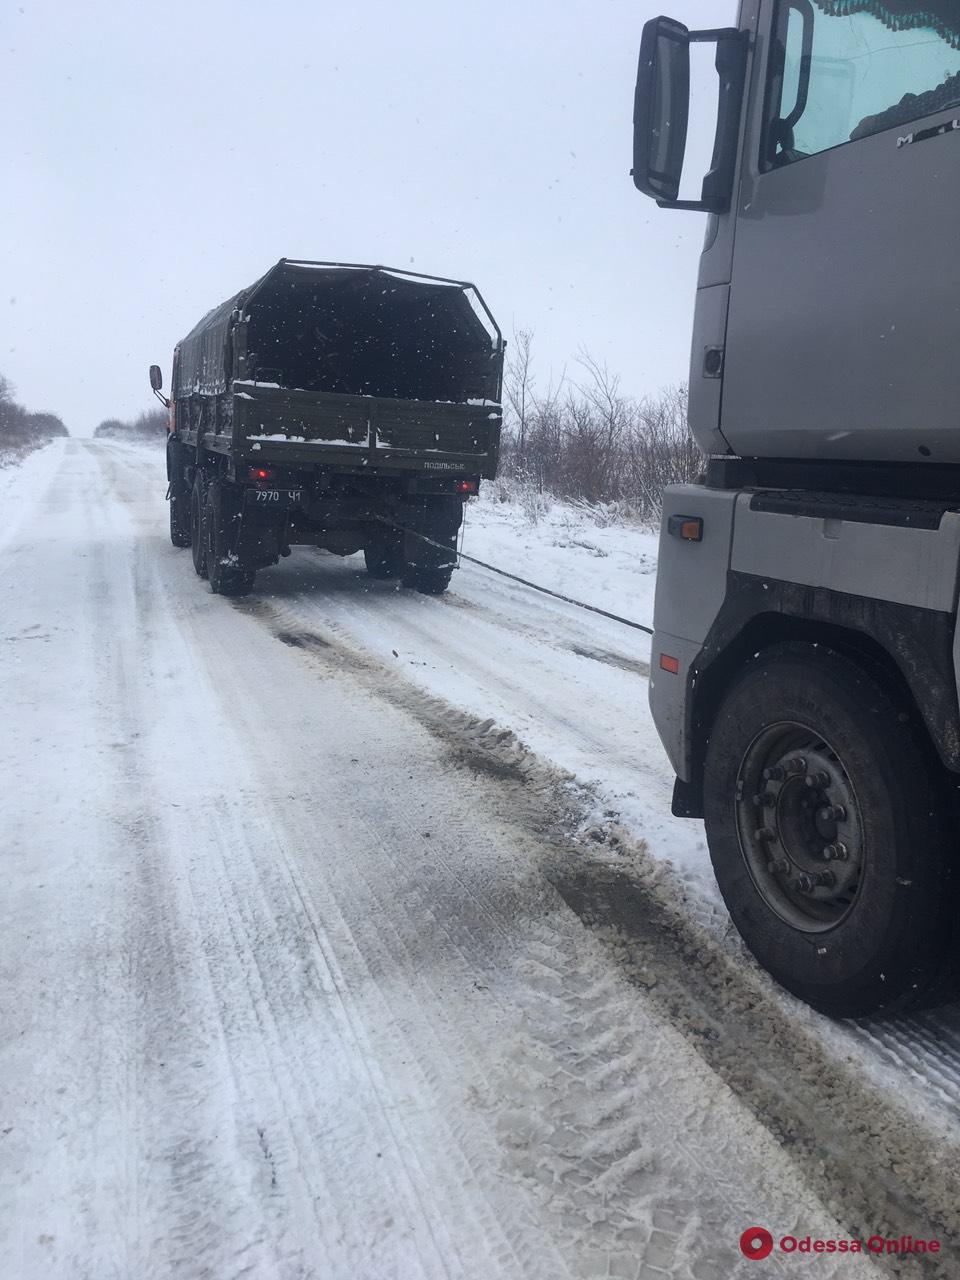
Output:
x=159 y=158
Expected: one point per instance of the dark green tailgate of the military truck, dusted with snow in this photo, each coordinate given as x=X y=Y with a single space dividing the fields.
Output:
x=324 y=429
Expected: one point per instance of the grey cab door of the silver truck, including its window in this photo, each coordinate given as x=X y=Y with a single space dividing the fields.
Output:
x=844 y=319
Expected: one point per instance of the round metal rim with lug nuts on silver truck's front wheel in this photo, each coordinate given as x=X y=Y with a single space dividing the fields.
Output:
x=801 y=828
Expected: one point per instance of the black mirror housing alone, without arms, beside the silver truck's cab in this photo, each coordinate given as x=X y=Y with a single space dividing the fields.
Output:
x=661 y=108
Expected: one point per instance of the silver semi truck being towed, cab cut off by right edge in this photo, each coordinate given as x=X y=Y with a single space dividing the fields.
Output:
x=807 y=653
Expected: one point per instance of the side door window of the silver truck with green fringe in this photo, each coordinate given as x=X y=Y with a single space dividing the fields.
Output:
x=845 y=70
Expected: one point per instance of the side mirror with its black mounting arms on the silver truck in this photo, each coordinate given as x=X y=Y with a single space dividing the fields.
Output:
x=662 y=109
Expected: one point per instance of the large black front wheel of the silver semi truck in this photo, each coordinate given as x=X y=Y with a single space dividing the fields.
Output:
x=829 y=828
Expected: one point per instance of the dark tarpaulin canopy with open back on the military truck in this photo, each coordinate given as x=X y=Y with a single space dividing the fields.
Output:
x=349 y=330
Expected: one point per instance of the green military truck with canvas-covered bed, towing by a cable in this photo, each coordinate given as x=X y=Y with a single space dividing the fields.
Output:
x=346 y=408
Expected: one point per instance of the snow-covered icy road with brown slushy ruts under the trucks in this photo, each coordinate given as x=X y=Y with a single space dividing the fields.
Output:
x=309 y=970
